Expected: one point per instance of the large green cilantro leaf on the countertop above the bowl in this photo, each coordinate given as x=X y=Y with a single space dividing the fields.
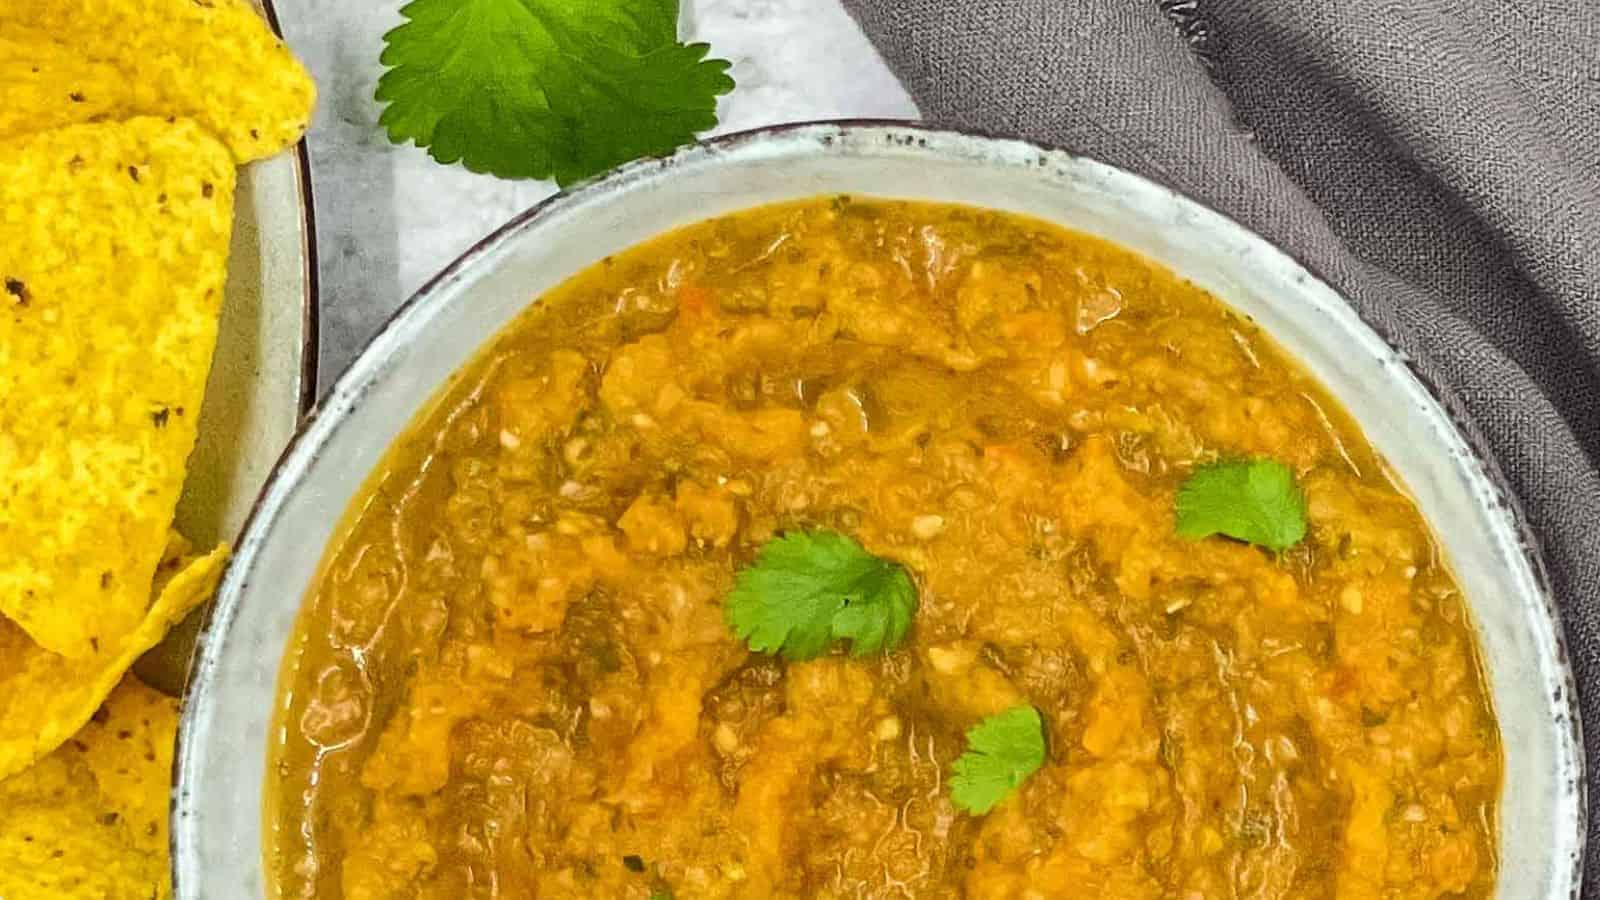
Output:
x=538 y=89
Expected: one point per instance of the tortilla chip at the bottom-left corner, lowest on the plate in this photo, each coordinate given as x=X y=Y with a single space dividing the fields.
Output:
x=90 y=821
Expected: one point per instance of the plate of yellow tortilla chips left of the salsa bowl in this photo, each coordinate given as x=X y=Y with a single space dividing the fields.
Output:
x=158 y=350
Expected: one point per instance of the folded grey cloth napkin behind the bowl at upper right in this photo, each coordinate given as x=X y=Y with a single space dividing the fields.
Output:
x=1438 y=163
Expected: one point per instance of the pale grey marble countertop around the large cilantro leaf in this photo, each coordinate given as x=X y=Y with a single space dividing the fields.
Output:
x=390 y=219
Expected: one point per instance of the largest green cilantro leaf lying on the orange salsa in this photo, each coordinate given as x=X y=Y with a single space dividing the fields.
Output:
x=809 y=590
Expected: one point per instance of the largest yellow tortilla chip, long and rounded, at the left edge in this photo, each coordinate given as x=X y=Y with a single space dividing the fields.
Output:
x=113 y=257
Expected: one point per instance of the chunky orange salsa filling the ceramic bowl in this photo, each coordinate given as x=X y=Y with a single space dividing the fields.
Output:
x=518 y=675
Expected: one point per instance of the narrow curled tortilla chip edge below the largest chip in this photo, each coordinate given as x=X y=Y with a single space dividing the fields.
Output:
x=46 y=699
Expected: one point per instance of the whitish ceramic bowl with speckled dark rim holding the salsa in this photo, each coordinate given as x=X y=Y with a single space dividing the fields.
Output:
x=228 y=723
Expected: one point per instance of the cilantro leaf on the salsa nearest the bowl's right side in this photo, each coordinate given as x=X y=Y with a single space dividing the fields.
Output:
x=1254 y=500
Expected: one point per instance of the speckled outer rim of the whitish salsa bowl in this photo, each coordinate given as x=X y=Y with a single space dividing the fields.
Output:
x=353 y=384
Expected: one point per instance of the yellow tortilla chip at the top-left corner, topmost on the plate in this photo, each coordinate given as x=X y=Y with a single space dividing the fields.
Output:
x=215 y=62
